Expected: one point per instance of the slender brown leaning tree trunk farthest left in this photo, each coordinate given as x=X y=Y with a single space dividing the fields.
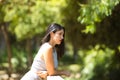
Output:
x=9 y=51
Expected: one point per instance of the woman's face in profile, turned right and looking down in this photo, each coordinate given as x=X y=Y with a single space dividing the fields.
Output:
x=58 y=36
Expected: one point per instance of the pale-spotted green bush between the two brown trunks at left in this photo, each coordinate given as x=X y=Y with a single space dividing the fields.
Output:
x=19 y=60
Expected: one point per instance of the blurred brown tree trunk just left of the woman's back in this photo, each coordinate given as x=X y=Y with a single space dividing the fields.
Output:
x=29 y=52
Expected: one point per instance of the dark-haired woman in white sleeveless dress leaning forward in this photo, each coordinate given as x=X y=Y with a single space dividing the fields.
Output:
x=46 y=61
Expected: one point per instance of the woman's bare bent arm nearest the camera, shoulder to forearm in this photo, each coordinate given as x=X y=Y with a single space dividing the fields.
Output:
x=49 y=61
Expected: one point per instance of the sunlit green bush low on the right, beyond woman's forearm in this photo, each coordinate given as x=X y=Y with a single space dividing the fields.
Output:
x=97 y=64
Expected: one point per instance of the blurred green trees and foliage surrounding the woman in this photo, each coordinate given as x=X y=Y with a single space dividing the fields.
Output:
x=92 y=50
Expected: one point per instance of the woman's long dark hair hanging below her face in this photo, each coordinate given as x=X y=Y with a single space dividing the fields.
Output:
x=54 y=28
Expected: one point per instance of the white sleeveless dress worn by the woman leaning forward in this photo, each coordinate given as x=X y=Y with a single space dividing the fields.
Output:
x=39 y=65
